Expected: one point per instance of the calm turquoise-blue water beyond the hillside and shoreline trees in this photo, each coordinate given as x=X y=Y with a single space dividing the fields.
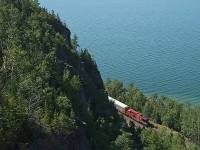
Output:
x=153 y=43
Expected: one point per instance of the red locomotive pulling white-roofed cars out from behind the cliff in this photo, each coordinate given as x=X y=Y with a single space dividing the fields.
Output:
x=124 y=109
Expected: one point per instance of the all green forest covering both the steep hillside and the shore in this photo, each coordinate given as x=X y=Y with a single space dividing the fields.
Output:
x=52 y=95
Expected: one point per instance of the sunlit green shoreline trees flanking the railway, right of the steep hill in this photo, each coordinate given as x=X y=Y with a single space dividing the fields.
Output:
x=179 y=117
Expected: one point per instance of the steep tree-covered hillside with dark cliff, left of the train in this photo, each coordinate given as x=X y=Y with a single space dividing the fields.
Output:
x=52 y=96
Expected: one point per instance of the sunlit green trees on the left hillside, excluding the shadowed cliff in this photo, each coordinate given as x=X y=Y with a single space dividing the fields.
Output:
x=31 y=76
